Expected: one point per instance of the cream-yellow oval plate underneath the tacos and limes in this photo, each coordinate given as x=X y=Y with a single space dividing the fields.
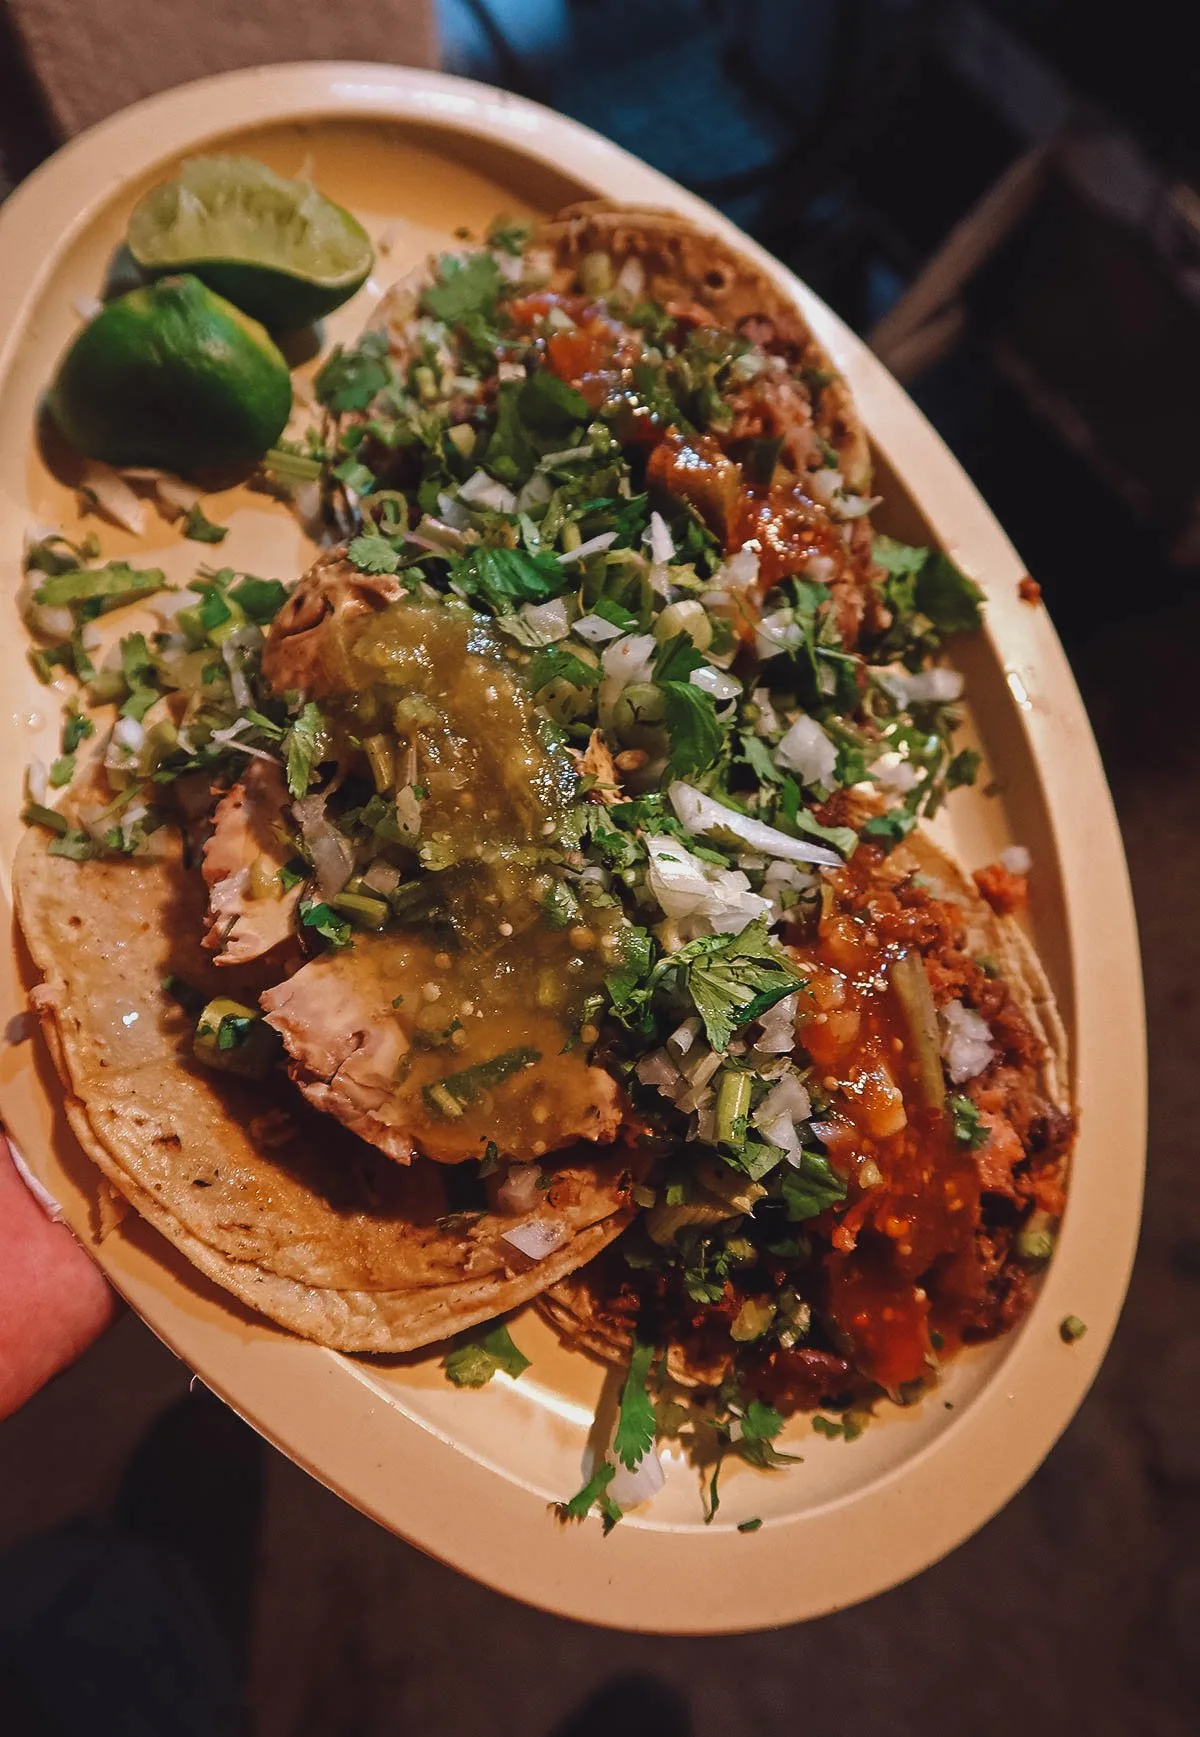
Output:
x=471 y=1476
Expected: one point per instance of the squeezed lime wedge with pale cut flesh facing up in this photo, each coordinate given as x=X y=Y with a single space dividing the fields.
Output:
x=279 y=249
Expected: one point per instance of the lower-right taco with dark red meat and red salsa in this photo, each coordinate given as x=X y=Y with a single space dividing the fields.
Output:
x=935 y=1074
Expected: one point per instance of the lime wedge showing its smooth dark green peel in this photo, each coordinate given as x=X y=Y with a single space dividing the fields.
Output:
x=176 y=378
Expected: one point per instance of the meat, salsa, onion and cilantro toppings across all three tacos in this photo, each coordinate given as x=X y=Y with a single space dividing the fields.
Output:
x=564 y=822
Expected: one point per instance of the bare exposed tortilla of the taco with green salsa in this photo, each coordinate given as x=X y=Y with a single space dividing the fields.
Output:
x=275 y=1203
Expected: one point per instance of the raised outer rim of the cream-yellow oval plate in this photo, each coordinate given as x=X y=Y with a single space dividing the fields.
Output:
x=640 y=1578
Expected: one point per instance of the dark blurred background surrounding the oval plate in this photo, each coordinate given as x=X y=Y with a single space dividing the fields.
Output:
x=1005 y=199
